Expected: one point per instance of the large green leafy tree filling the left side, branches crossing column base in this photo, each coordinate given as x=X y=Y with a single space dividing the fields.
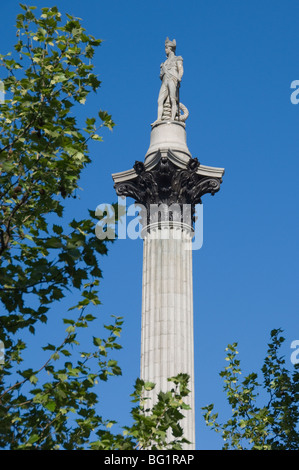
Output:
x=43 y=151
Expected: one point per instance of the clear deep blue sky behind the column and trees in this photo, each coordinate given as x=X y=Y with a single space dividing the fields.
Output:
x=239 y=59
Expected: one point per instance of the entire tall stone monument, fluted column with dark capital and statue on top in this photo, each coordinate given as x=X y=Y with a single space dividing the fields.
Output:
x=167 y=185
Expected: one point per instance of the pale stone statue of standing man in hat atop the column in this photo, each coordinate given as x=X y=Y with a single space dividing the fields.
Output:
x=171 y=72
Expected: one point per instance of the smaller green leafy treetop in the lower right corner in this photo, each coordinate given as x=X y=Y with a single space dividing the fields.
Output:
x=272 y=426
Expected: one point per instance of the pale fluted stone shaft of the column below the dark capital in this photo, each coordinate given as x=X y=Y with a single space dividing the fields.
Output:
x=167 y=312
